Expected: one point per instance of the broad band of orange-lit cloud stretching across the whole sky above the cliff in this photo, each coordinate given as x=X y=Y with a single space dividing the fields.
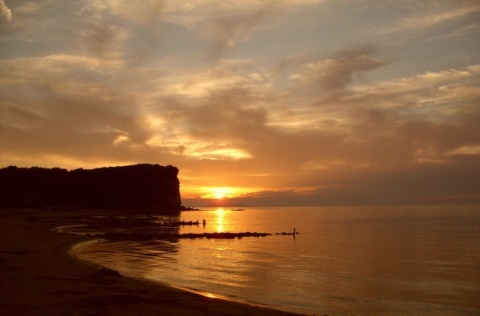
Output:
x=233 y=112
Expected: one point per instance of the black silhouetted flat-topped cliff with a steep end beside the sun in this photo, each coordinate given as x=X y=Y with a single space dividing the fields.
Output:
x=142 y=186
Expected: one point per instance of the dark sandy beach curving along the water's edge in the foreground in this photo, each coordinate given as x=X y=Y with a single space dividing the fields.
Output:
x=39 y=277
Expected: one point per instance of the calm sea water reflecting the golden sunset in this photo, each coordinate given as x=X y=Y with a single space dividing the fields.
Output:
x=345 y=260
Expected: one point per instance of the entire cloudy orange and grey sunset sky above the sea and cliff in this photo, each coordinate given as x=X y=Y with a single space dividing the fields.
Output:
x=257 y=102
